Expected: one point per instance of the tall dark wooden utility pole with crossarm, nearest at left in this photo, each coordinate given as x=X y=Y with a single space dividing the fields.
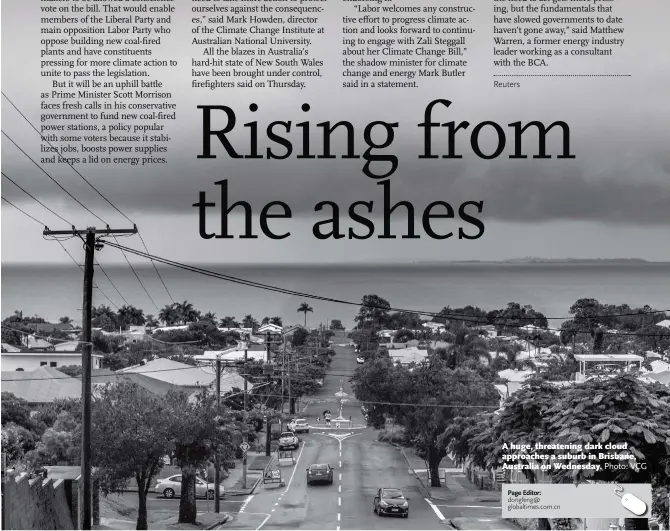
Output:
x=90 y=246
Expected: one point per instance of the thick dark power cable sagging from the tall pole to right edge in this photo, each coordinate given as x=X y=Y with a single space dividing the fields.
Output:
x=267 y=287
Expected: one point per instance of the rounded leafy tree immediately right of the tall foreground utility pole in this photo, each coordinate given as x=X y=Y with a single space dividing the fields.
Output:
x=141 y=439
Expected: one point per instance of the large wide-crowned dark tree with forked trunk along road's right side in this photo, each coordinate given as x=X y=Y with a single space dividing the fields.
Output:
x=437 y=394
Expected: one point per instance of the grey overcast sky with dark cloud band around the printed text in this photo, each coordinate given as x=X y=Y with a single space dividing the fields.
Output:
x=611 y=201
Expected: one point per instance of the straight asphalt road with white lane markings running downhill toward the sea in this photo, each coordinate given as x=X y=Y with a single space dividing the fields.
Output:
x=362 y=465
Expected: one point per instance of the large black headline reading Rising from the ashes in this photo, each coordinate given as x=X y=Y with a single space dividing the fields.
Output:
x=379 y=165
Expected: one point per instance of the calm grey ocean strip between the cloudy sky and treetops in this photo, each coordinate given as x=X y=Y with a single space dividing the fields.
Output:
x=53 y=291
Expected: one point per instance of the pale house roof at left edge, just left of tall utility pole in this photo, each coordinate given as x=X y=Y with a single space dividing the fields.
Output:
x=41 y=386
